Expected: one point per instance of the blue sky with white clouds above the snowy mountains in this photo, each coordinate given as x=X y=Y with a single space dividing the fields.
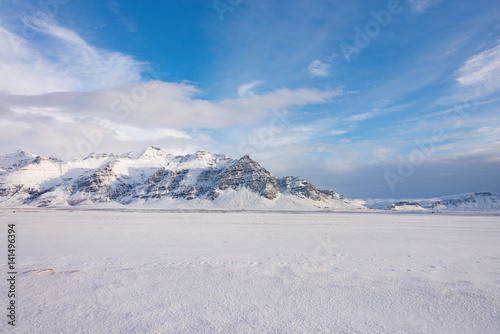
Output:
x=372 y=99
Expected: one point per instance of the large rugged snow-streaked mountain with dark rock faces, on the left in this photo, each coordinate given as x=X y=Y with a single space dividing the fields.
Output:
x=199 y=175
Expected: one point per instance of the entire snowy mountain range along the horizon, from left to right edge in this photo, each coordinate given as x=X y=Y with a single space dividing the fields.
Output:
x=154 y=178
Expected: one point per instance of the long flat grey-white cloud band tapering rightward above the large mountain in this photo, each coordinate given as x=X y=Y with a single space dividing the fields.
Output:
x=164 y=104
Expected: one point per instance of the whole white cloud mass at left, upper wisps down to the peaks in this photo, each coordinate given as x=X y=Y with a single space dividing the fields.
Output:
x=52 y=96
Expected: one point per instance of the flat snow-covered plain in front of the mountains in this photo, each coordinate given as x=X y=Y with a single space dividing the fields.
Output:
x=153 y=271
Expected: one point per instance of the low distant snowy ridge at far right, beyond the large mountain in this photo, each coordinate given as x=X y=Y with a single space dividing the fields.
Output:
x=478 y=201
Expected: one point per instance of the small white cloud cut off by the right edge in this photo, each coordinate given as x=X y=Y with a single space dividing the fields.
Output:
x=481 y=68
